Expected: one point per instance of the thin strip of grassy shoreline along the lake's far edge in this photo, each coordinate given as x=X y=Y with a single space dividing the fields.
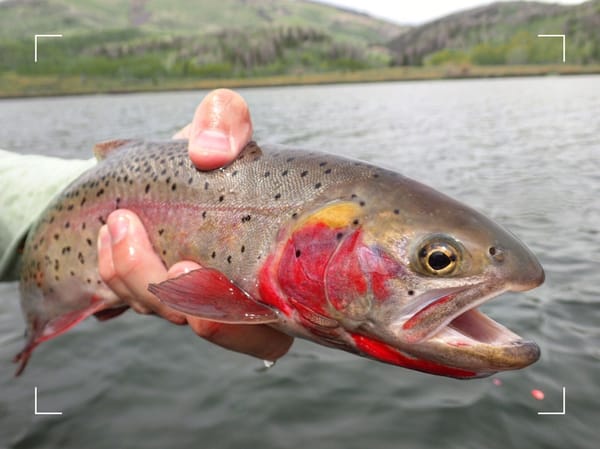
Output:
x=16 y=86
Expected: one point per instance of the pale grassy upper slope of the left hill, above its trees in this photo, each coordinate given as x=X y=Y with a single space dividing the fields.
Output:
x=24 y=18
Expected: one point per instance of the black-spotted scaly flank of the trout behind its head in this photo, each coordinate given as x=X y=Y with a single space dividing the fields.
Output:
x=217 y=212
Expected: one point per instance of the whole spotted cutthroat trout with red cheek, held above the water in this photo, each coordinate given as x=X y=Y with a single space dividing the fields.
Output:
x=333 y=250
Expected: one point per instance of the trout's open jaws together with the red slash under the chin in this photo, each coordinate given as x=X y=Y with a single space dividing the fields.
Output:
x=445 y=334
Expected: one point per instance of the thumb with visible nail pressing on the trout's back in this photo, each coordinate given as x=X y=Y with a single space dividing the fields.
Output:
x=220 y=129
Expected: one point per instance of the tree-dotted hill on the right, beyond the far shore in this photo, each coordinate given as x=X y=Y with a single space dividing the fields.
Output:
x=504 y=33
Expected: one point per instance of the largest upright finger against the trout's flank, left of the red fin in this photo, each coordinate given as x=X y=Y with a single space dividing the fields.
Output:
x=136 y=265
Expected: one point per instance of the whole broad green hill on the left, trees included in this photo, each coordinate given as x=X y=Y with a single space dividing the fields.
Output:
x=156 y=39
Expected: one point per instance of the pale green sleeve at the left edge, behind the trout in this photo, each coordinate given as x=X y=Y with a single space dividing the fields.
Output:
x=27 y=184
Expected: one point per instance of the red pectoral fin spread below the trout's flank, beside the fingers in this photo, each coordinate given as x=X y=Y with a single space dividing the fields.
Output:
x=209 y=294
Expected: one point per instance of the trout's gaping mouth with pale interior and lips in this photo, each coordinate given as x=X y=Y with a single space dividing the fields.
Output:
x=447 y=327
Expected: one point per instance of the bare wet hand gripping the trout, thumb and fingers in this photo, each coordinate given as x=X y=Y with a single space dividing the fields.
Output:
x=127 y=263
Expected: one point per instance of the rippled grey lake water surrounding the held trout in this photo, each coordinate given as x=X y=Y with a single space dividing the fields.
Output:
x=525 y=151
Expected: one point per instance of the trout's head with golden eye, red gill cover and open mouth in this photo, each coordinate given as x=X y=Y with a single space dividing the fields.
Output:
x=426 y=262
